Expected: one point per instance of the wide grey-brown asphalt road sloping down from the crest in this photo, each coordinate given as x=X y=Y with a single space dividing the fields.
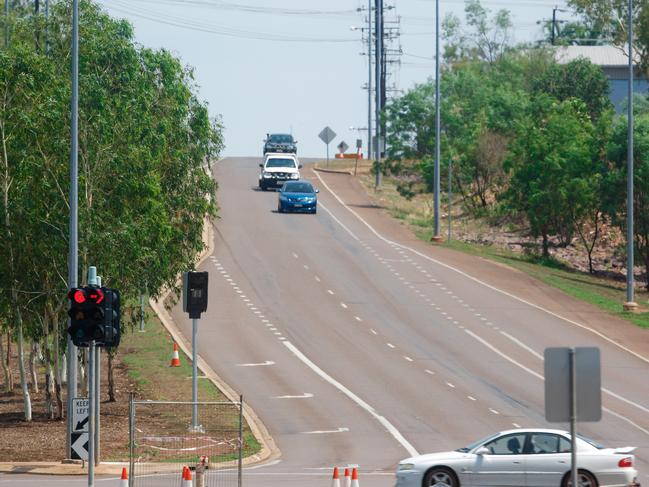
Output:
x=355 y=343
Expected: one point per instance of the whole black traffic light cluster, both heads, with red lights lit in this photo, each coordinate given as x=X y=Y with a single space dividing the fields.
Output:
x=94 y=315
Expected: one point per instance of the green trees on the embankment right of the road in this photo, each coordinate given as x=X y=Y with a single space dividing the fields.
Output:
x=530 y=139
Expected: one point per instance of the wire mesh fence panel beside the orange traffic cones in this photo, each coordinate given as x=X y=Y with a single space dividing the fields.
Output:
x=163 y=439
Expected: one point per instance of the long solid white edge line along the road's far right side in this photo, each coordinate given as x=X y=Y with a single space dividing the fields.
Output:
x=475 y=279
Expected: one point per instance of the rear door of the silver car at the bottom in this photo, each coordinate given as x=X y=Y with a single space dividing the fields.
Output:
x=548 y=459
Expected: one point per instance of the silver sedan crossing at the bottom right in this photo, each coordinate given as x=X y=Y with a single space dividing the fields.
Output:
x=521 y=458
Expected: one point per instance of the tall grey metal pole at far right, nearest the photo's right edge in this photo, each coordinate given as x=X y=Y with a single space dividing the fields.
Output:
x=630 y=304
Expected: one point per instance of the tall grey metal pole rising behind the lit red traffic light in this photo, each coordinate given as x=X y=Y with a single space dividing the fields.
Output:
x=74 y=215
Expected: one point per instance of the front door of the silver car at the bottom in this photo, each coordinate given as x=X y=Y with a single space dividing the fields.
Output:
x=504 y=465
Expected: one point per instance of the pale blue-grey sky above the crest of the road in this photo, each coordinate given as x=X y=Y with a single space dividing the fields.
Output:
x=296 y=66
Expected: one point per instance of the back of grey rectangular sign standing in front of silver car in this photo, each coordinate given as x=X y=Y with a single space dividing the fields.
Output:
x=558 y=384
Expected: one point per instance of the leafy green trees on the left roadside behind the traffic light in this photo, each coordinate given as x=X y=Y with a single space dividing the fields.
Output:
x=144 y=193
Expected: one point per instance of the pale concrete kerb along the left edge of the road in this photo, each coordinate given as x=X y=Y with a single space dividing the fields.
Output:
x=269 y=450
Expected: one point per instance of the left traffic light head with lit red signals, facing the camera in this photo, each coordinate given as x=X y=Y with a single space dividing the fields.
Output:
x=86 y=314
